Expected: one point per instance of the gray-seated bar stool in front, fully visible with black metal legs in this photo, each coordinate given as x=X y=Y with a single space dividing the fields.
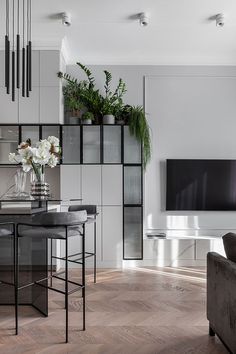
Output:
x=60 y=226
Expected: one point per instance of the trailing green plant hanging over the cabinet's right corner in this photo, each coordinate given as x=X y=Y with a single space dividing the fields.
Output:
x=138 y=127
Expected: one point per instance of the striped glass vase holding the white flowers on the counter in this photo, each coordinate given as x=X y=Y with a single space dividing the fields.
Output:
x=39 y=188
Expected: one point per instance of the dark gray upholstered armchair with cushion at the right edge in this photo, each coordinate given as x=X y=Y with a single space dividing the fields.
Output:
x=221 y=295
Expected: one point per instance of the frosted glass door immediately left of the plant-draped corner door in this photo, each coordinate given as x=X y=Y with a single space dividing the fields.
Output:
x=111 y=144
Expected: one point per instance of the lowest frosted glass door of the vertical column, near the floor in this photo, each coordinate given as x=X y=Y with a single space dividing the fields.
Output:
x=133 y=233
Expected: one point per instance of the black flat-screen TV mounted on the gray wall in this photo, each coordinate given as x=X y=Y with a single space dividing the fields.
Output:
x=201 y=185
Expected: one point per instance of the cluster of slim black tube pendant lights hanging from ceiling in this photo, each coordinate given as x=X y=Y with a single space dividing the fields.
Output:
x=18 y=39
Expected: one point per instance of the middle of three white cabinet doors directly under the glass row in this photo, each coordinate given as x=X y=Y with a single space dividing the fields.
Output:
x=91 y=184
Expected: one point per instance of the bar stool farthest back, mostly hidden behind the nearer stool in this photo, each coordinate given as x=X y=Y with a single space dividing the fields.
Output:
x=92 y=218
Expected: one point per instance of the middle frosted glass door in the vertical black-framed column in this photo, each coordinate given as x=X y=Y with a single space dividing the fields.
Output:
x=132 y=185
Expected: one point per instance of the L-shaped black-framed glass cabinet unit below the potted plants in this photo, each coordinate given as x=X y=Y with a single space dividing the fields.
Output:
x=93 y=145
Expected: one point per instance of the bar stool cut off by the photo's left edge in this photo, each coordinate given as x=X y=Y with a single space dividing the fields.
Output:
x=7 y=229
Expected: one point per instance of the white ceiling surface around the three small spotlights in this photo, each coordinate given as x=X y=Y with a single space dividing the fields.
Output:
x=104 y=31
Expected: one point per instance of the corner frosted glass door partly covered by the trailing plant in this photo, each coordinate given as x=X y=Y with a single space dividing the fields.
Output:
x=132 y=148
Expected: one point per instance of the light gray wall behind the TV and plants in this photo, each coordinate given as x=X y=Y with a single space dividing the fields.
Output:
x=192 y=114
